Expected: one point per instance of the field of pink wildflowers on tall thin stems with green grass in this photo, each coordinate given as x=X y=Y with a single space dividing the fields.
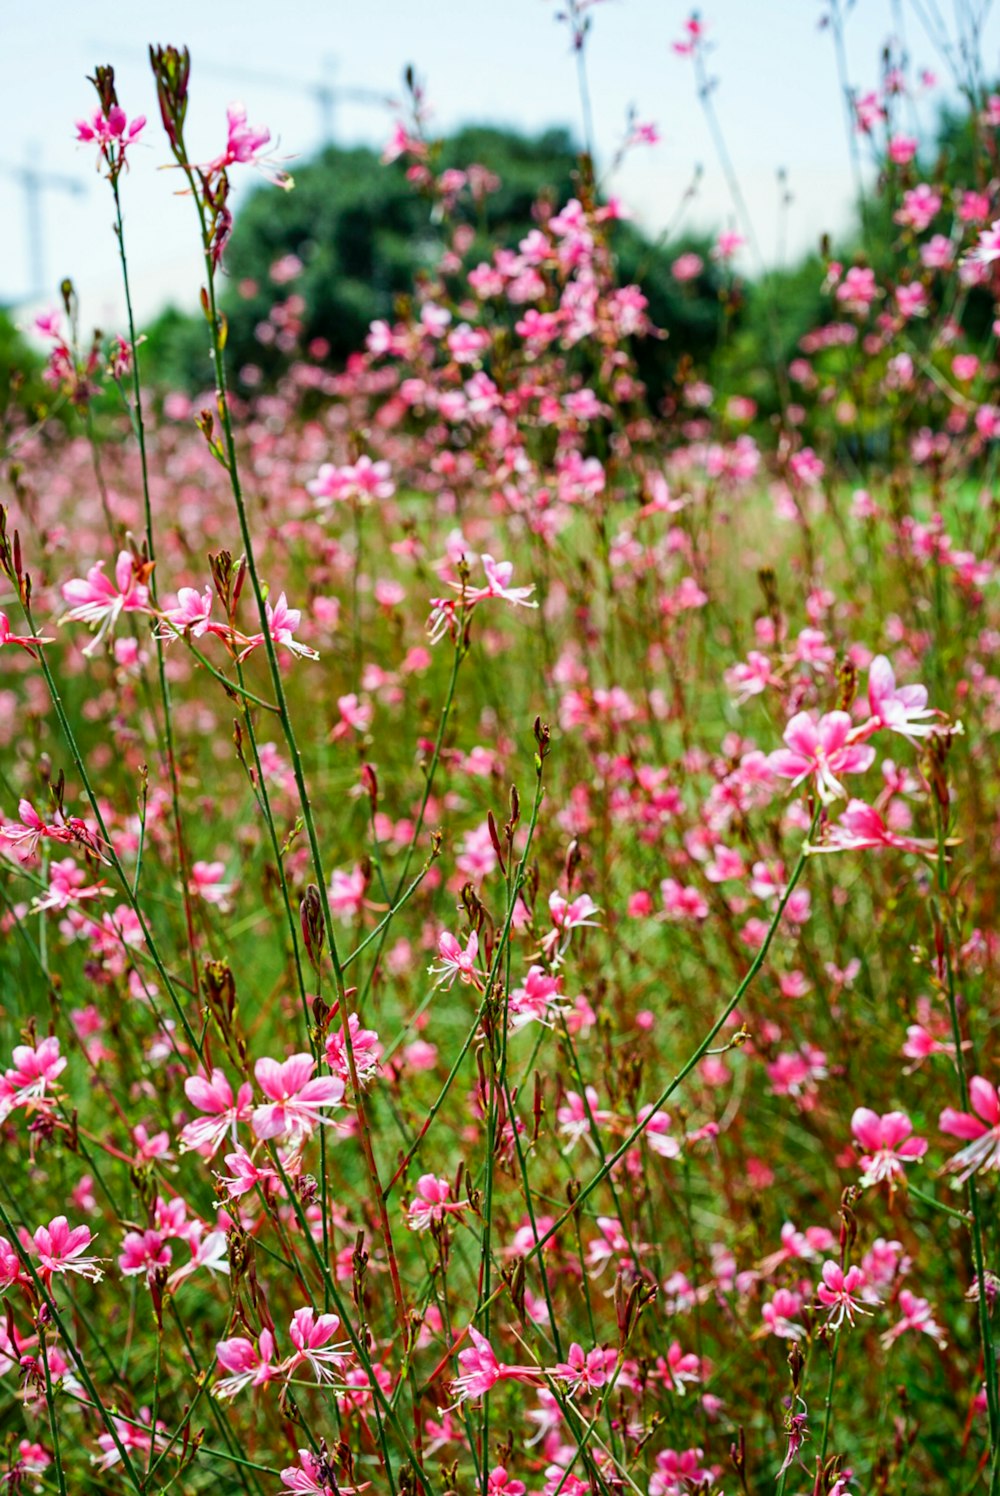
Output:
x=499 y=864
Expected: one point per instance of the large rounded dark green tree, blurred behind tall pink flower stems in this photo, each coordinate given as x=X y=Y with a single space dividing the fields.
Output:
x=363 y=236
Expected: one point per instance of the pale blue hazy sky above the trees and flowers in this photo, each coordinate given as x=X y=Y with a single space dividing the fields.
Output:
x=778 y=99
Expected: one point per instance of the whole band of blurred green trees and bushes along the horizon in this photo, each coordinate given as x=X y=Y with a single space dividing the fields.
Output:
x=365 y=236
